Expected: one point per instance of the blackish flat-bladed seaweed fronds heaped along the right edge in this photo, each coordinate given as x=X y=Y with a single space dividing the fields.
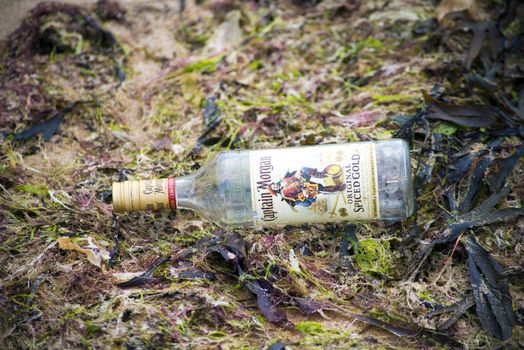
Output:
x=495 y=316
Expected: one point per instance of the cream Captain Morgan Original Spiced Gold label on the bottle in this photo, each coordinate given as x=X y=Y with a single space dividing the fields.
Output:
x=314 y=184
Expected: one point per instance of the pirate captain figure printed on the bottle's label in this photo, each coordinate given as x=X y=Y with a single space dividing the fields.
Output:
x=298 y=188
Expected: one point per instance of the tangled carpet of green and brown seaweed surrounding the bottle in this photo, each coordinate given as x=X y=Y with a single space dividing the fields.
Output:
x=317 y=73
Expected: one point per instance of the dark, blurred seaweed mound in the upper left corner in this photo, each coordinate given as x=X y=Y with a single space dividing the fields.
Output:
x=51 y=30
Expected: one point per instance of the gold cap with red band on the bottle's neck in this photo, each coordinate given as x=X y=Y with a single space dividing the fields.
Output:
x=153 y=194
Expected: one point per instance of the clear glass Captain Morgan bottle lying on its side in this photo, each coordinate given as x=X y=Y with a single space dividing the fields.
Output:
x=252 y=188
